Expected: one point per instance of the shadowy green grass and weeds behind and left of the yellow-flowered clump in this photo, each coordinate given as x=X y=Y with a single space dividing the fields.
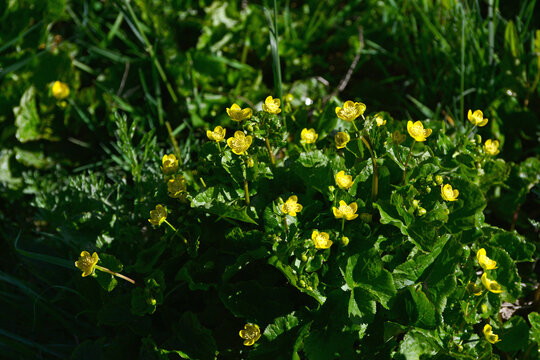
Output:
x=79 y=176
